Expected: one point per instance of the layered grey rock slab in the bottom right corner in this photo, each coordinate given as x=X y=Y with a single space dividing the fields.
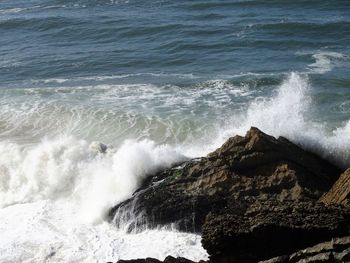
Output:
x=335 y=250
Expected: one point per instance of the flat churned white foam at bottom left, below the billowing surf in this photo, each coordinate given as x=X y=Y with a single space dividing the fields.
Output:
x=47 y=231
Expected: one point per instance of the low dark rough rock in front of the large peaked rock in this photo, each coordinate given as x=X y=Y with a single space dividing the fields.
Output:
x=270 y=229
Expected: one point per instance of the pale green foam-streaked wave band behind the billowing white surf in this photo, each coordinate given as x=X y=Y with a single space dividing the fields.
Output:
x=163 y=113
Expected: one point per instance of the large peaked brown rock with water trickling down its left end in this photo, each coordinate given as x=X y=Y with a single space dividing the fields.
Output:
x=257 y=167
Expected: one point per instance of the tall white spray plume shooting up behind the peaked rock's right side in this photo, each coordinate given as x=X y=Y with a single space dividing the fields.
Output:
x=287 y=114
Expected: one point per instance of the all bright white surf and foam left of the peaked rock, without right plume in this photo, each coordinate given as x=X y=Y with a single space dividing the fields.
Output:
x=54 y=197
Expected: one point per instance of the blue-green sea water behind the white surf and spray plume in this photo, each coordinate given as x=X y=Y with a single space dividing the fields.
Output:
x=107 y=64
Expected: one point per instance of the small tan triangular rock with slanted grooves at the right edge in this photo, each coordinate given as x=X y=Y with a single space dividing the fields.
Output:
x=340 y=192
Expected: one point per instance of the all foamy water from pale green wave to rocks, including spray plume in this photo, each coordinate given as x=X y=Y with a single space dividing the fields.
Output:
x=54 y=193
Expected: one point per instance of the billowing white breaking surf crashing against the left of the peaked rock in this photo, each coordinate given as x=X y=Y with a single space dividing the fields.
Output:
x=68 y=168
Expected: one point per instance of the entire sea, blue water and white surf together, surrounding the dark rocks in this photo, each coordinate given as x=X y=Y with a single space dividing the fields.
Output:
x=157 y=82
